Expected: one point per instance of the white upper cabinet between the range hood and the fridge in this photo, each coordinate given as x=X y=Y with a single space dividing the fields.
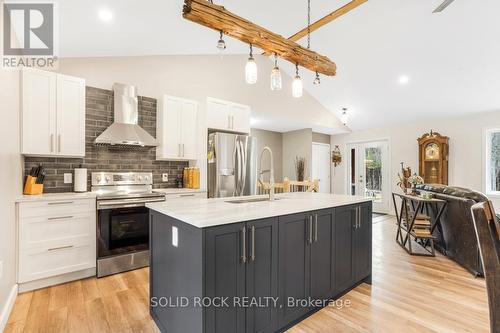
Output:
x=176 y=129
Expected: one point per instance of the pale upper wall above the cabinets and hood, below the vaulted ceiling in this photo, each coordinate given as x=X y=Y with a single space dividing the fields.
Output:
x=196 y=77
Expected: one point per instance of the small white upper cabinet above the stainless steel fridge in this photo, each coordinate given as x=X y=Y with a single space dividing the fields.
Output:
x=228 y=116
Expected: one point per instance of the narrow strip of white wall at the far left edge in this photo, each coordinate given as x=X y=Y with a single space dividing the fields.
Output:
x=10 y=179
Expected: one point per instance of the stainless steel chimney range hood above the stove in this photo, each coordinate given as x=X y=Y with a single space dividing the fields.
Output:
x=125 y=130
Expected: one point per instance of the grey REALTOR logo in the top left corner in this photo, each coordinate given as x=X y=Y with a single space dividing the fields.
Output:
x=28 y=35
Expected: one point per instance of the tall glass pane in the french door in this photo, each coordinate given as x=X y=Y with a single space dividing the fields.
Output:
x=373 y=173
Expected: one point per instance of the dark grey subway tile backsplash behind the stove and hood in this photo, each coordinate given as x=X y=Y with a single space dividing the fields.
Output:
x=98 y=116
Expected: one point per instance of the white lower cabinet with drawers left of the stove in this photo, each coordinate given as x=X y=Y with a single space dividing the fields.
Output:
x=55 y=237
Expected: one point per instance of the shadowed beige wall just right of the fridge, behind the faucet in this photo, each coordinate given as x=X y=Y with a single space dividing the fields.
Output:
x=273 y=140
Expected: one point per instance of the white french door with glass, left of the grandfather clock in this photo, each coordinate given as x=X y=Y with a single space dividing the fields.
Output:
x=368 y=172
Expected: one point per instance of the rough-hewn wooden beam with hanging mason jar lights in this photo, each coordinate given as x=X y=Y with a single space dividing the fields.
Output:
x=218 y=18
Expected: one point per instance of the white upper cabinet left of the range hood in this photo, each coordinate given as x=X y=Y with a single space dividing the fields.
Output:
x=53 y=114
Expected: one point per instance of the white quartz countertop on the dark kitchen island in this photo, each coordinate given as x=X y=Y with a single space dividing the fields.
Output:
x=203 y=213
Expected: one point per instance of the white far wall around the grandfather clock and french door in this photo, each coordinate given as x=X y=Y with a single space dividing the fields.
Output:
x=465 y=157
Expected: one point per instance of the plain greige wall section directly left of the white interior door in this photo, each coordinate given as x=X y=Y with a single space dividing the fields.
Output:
x=297 y=143
